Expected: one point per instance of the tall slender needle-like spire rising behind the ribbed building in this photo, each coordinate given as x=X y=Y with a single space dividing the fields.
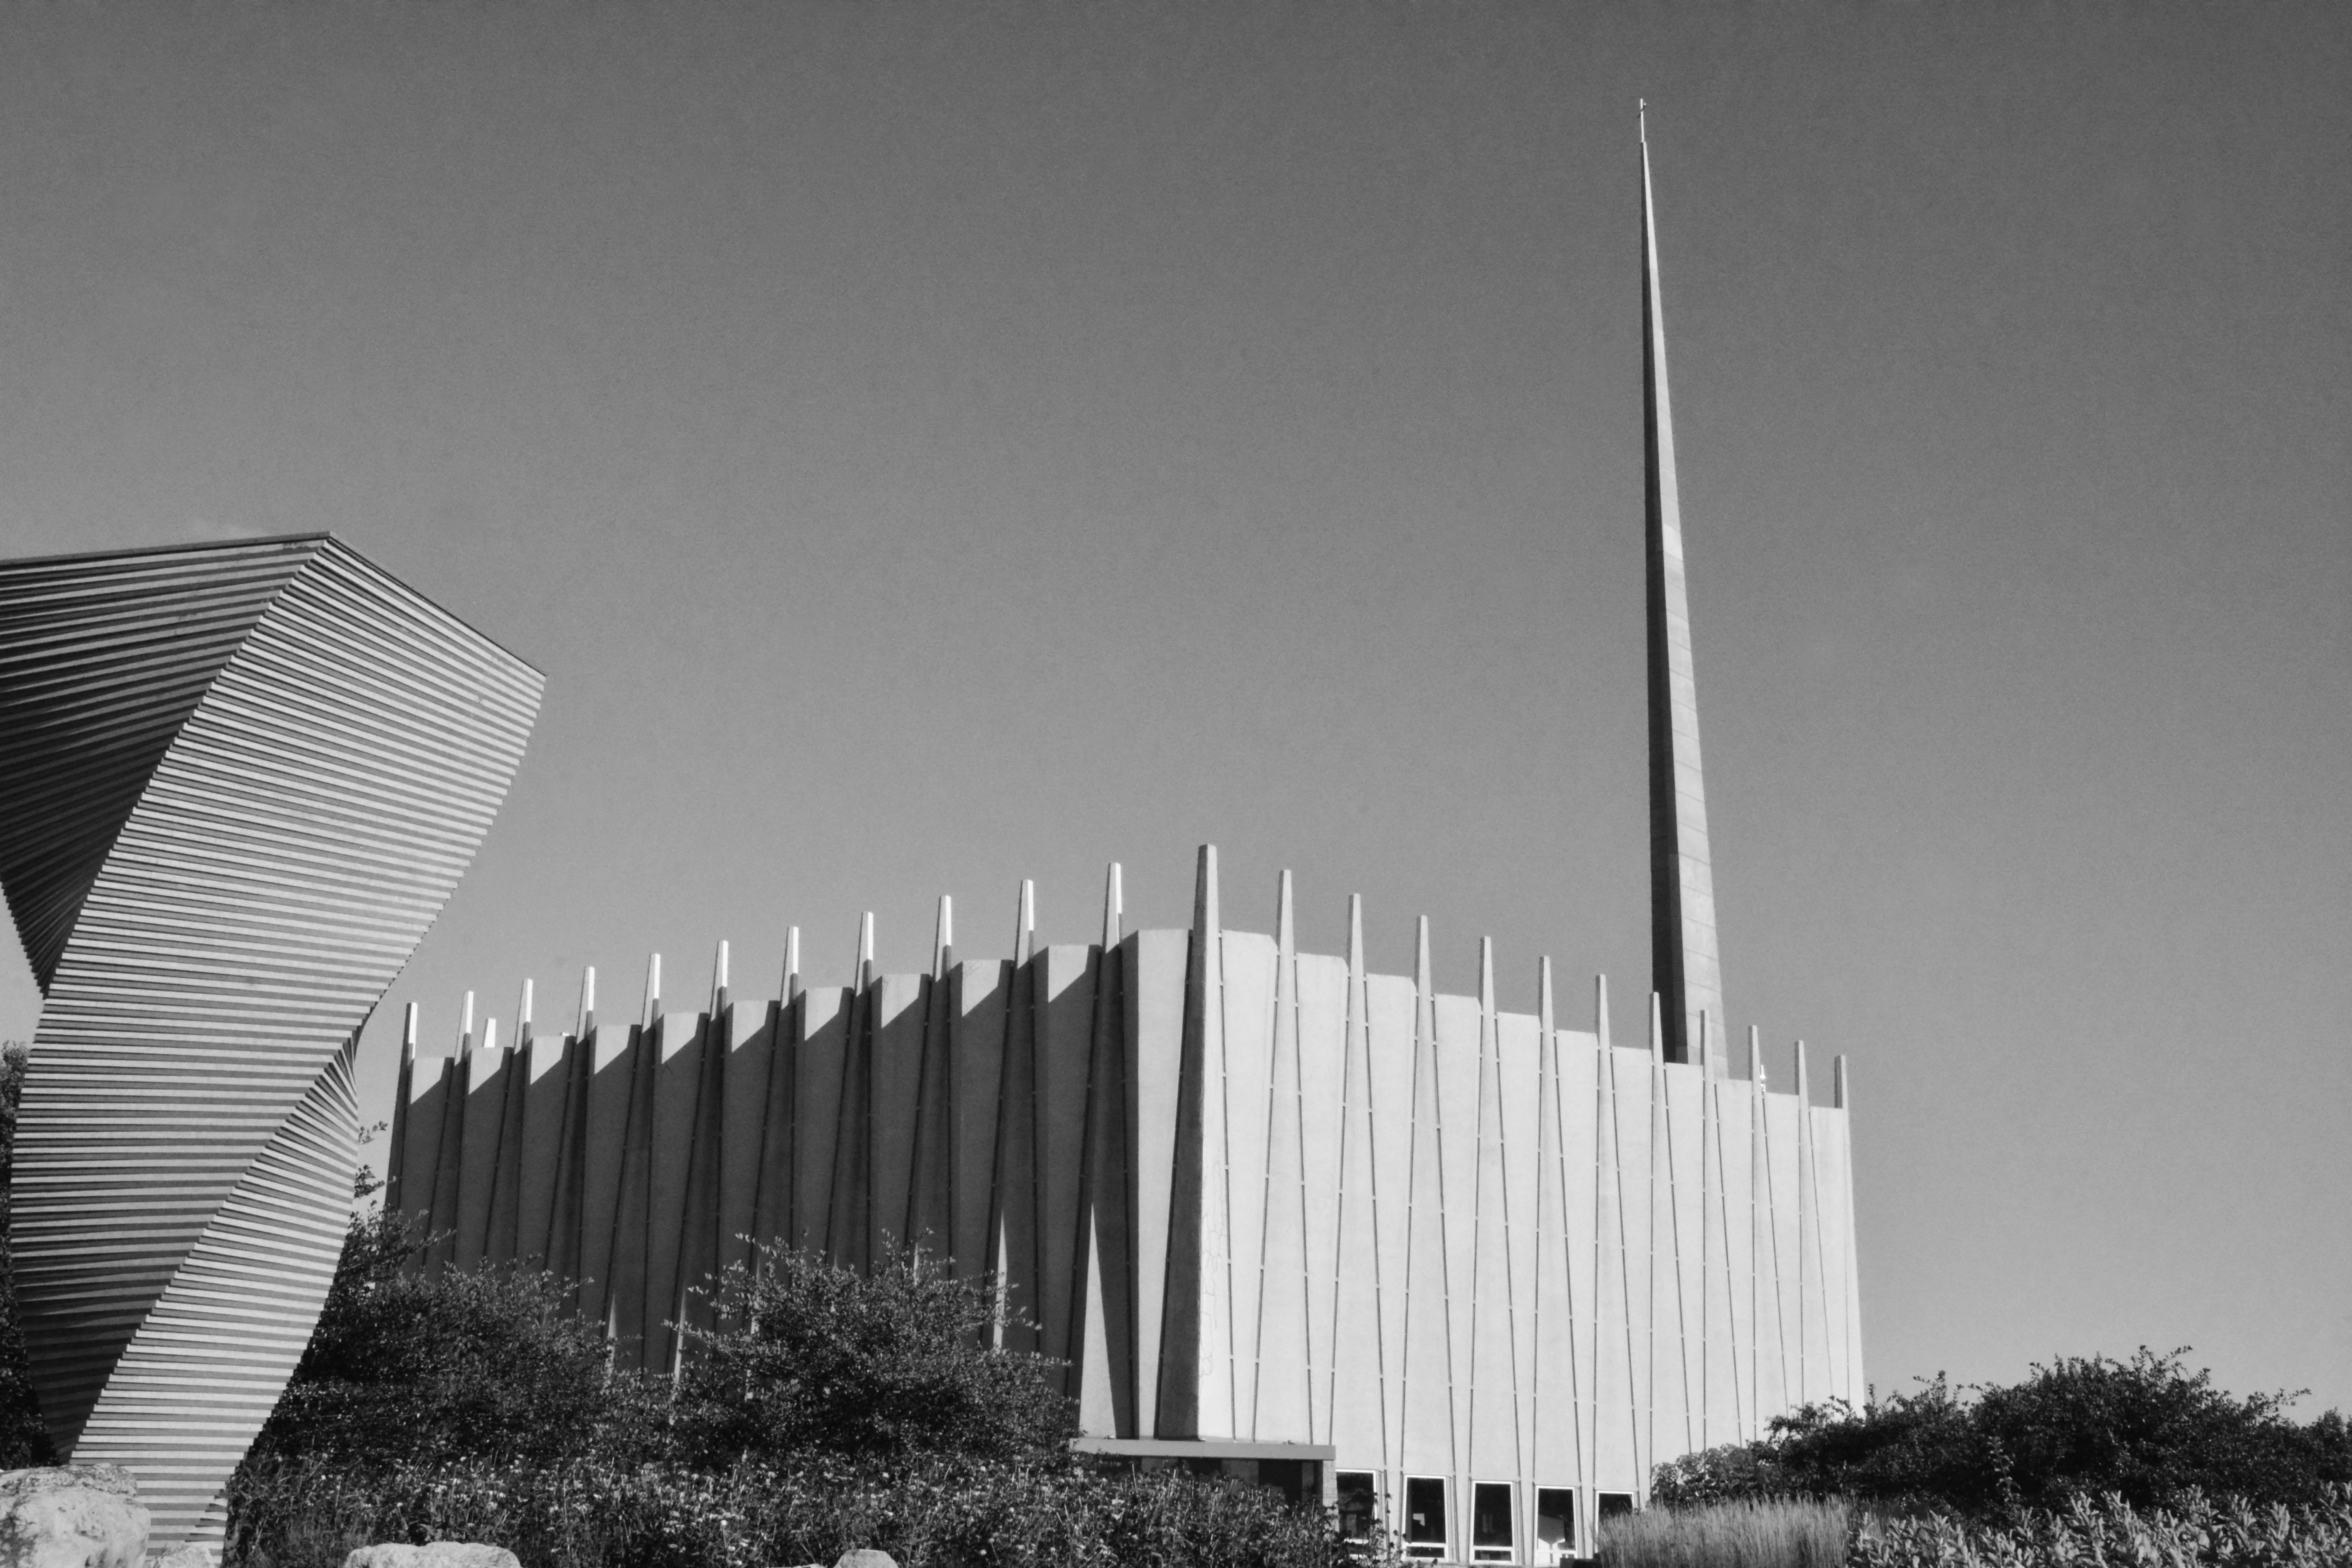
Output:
x=1685 y=970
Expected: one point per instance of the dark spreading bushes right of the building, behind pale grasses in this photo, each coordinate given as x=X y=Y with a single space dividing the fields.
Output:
x=2146 y=1430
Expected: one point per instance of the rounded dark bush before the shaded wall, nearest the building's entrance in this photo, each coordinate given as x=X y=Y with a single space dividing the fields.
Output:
x=883 y=1369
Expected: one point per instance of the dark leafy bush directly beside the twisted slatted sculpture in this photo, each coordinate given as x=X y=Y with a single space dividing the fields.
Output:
x=455 y=1367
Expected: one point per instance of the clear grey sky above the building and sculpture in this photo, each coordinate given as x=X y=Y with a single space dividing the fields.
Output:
x=942 y=445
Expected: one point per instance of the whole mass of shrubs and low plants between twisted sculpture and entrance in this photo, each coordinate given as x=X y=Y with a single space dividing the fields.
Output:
x=829 y=1412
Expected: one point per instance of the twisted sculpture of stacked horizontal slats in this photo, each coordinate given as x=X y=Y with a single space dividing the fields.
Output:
x=236 y=786
